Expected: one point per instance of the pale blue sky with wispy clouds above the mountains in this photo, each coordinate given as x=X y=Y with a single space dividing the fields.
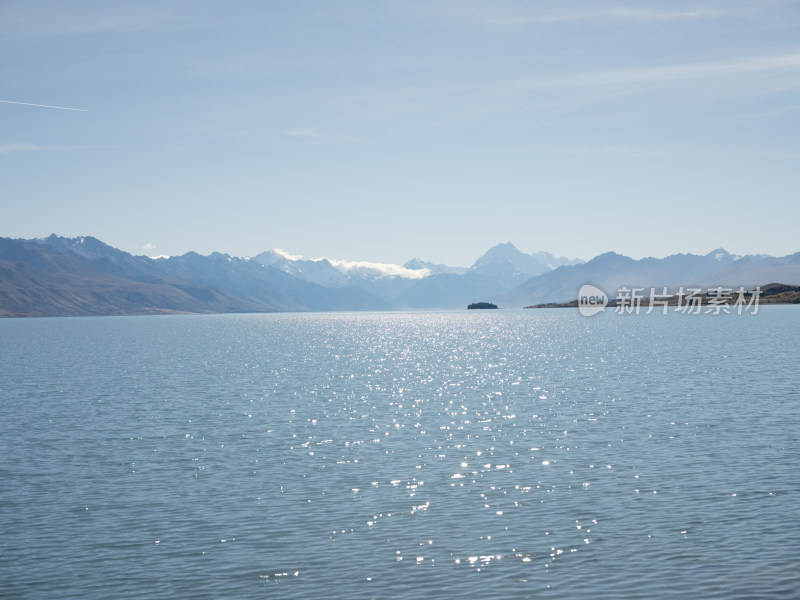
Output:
x=383 y=130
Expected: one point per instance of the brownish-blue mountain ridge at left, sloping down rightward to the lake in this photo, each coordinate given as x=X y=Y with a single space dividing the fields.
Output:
x=58 y=276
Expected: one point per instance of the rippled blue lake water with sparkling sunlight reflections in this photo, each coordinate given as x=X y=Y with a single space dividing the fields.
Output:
x=500 y=454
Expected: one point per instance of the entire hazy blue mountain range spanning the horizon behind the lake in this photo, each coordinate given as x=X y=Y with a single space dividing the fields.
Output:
x=57 y=276
